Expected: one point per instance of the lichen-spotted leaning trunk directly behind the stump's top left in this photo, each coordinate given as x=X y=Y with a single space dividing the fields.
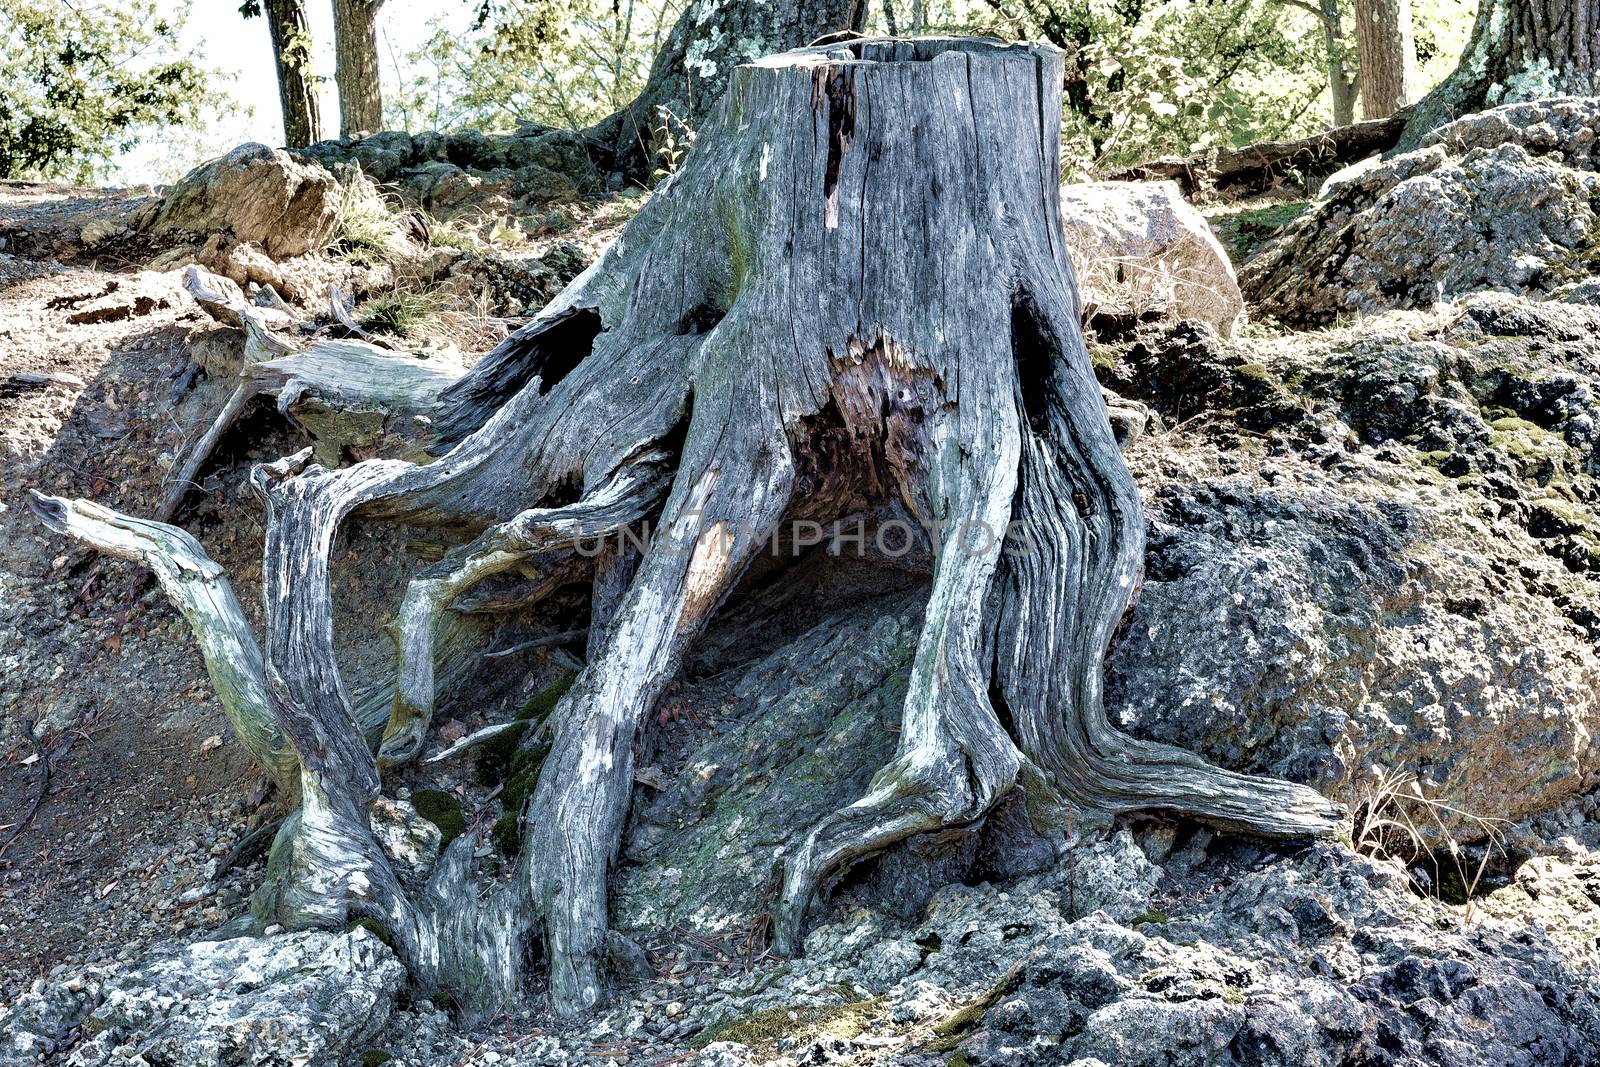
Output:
x=694 y=66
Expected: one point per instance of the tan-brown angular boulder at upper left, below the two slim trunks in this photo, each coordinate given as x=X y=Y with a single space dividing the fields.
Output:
x=265 y=198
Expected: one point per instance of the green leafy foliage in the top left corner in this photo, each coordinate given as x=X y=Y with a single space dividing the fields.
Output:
x=84 y=82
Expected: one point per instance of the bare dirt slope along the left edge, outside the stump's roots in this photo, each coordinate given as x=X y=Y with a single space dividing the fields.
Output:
x=102 y=682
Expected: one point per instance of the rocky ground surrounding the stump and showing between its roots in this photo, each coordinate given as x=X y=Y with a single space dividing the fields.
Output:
x=1372 y=567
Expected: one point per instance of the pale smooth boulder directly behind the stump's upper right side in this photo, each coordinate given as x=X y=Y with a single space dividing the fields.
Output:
x=1140 y=249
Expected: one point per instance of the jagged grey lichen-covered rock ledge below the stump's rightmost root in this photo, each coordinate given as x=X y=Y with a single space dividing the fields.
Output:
x=1274 y=959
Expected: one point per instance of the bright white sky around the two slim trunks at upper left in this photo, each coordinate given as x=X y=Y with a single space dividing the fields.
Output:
x=242 y=52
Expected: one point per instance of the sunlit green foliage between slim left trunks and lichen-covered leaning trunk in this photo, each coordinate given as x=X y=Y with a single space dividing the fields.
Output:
x=559 y=63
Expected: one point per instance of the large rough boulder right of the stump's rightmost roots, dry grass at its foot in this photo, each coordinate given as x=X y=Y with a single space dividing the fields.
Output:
x=1396 y=567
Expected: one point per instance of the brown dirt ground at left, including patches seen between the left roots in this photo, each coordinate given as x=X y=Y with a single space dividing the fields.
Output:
x=102 y=386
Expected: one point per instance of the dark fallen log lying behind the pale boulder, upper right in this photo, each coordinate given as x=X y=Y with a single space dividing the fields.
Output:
x=1258 y=167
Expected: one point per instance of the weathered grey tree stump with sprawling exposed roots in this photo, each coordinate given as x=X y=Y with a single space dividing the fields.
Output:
x=854 y=298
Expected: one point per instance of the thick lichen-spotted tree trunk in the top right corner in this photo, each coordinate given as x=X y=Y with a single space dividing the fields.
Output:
x=1519 y=50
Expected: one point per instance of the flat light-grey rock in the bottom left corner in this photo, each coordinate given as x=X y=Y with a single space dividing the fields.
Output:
x=278 y=1002
